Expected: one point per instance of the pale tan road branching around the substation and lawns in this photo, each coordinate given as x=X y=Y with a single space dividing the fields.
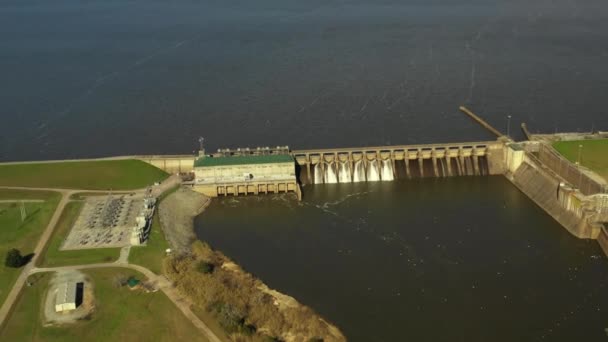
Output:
x=161 y=281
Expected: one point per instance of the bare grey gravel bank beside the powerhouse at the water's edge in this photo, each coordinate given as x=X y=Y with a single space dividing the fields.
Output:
x=177 y=212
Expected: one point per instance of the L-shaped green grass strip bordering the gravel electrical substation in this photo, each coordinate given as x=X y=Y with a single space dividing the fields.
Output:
x=53 y=257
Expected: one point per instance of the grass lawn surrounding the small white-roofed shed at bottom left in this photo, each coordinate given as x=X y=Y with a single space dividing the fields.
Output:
x=120 y=315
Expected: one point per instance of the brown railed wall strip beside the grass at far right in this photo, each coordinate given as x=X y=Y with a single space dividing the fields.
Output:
x=568 y=171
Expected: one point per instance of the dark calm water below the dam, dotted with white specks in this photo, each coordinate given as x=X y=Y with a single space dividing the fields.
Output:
x=452 y=259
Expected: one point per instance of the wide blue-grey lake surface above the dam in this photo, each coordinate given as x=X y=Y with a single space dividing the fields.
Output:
x=115 y=77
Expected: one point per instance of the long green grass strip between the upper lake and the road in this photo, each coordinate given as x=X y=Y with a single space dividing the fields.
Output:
x=89 y=175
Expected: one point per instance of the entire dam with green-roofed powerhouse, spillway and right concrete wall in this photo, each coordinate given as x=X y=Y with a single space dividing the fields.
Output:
x=574 y=197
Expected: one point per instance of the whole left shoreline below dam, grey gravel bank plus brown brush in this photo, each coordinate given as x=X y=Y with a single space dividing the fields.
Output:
x=229 y=286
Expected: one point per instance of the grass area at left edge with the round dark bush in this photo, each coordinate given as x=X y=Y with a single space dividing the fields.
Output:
x=22 y=235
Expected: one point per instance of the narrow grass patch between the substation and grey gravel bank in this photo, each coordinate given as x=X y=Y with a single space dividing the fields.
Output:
x=152 y=254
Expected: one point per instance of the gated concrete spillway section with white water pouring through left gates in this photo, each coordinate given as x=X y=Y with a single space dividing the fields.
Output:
x=387 y=163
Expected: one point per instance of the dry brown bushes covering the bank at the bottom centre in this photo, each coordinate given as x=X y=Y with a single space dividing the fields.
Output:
x=245 y=307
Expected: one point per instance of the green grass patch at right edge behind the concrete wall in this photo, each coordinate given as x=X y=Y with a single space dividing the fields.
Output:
x=594 y=154
